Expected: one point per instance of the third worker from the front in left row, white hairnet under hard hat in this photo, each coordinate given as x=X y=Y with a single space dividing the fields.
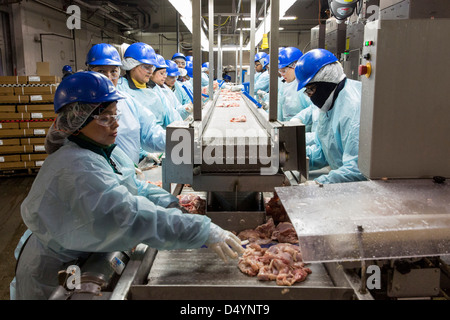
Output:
x=139 y=63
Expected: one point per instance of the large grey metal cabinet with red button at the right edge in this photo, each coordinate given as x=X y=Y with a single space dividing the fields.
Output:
x=404 y=105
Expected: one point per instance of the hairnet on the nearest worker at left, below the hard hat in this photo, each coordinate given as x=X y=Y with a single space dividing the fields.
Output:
x=68 y=121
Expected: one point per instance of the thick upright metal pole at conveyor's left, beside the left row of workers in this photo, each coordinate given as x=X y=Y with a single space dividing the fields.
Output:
x=197 y=55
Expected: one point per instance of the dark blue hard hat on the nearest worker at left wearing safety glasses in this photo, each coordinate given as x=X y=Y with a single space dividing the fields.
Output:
x=87 y=87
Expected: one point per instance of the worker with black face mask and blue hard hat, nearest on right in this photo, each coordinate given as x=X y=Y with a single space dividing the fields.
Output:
x=339 y=99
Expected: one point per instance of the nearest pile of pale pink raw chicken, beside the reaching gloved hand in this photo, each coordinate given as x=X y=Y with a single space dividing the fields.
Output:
x=281 y=262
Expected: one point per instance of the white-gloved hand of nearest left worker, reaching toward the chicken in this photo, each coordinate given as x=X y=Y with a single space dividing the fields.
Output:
x=219 y=240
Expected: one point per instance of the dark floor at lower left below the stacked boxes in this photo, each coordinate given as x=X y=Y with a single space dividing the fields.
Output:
x=12 y=192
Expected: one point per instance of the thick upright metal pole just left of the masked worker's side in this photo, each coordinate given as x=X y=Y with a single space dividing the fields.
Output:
x=274 y=44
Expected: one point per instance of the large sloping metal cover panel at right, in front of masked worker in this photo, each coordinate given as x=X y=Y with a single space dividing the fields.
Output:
x=370 y=220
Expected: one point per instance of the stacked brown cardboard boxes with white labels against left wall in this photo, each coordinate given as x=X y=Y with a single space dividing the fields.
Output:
x=26 y=114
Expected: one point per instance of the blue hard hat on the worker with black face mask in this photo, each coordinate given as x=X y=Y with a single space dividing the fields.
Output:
x=310 y=63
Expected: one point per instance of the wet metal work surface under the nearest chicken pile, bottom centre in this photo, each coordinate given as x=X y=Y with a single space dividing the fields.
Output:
x=200 y=274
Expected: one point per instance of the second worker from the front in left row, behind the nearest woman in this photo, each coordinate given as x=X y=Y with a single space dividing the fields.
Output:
x=137 y=125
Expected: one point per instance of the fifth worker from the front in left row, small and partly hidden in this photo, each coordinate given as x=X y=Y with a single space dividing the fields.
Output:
x=175 y=90
